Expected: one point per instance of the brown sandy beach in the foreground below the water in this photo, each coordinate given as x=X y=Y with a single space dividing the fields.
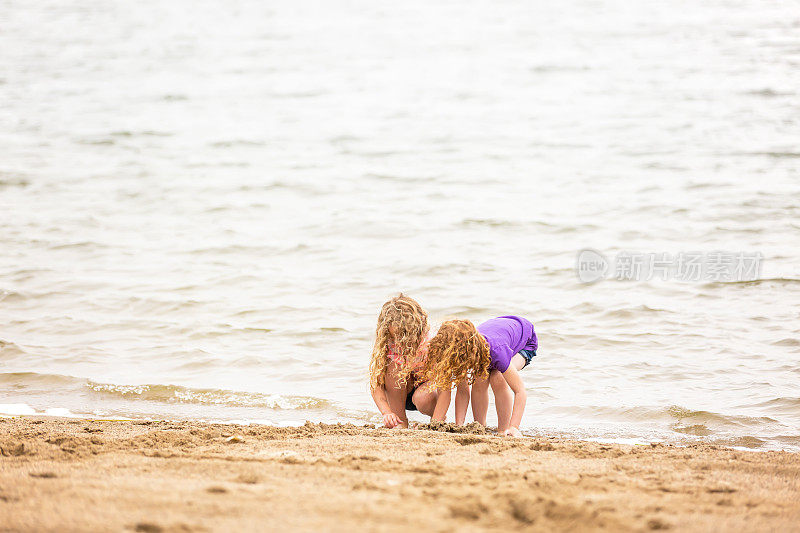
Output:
x=79 y=475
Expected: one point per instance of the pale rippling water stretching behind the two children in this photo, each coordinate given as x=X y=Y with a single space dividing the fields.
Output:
x=204 y=204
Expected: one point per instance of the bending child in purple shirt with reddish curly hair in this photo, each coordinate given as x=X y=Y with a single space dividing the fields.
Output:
x=490 y=355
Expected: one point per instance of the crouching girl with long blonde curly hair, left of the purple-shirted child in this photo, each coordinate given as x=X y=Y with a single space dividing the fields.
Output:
x=399 y=357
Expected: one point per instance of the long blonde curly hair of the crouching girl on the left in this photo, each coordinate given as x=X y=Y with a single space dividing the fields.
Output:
x=402 y=328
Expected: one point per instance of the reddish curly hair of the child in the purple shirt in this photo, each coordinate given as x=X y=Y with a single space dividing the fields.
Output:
x=457 y=352
